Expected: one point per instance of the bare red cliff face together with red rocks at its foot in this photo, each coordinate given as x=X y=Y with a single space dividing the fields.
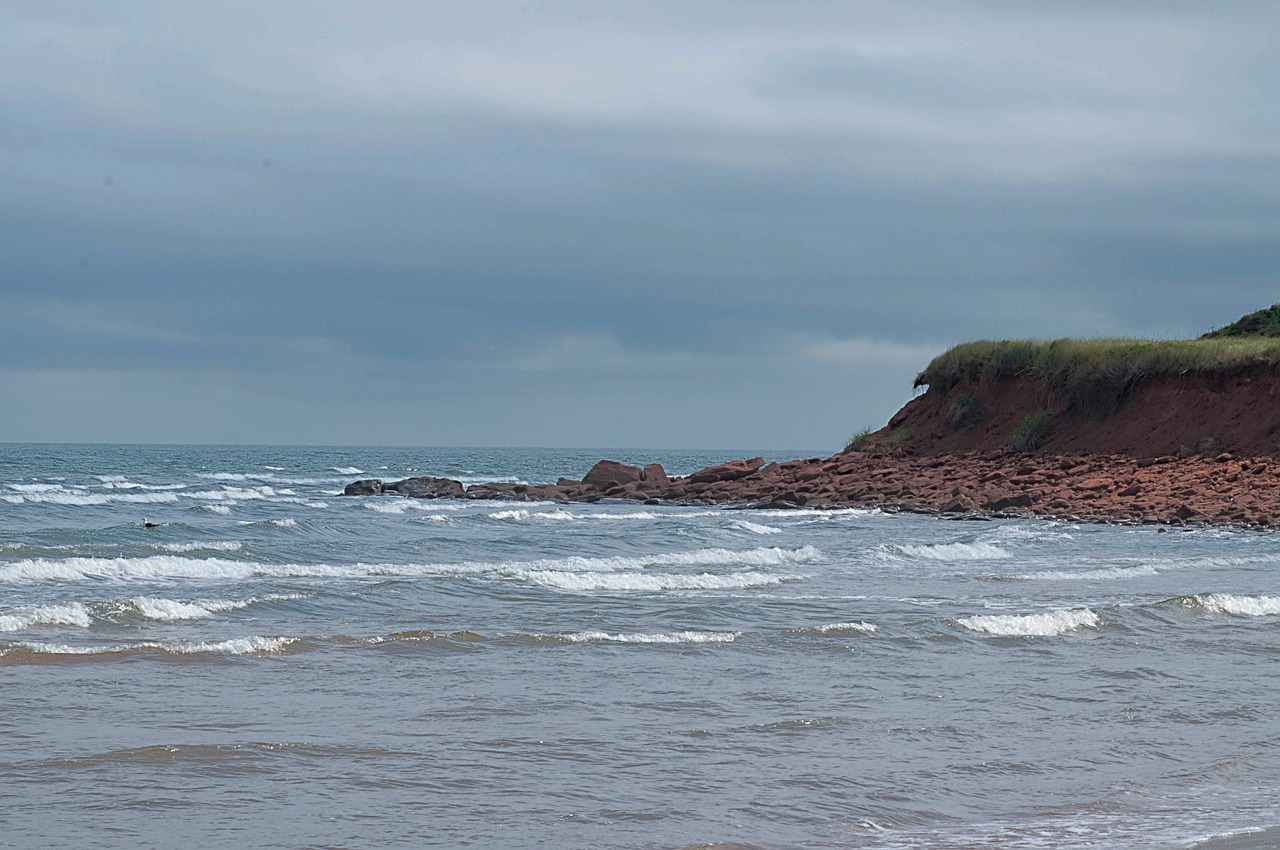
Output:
x=1156 y=458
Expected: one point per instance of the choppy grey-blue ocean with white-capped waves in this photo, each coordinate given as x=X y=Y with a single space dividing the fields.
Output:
x=278 y=666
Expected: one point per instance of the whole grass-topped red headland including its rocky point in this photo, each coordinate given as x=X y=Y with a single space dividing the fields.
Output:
x=1104 y=431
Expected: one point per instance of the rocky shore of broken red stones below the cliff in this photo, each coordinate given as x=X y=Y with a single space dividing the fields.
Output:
x=1220 y=491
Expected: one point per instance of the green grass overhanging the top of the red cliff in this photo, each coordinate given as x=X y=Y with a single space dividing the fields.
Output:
x=1094 y=376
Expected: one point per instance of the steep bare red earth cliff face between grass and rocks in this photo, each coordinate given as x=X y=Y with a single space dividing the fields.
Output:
x=1158 y=418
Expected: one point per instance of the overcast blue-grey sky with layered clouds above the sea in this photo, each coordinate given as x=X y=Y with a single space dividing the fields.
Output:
x=668 y=225
